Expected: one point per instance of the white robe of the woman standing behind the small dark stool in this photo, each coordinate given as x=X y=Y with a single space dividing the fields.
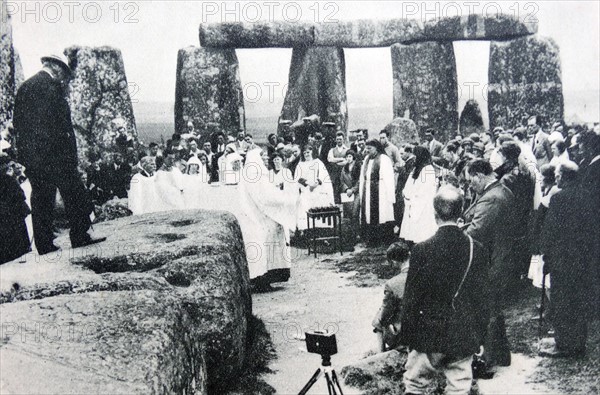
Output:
x=321 y=196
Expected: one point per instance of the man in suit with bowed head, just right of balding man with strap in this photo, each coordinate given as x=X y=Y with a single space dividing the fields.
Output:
x=489 y=221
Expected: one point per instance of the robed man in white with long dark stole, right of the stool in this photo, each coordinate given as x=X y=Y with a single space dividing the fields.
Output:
x=377 y=194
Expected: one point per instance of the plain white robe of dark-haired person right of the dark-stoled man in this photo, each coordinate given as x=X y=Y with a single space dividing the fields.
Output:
x=418 y=223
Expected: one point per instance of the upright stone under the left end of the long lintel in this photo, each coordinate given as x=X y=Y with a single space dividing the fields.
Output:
x=208 y=91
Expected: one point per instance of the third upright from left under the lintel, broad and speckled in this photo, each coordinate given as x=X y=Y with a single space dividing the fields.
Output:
x=425 y=86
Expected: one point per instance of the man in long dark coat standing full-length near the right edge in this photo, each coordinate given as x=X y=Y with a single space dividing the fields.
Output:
x=565 y=246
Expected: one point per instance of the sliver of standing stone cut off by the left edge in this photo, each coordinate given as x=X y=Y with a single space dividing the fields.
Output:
x=7 y=69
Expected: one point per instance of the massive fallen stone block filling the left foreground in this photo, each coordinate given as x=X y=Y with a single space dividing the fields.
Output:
x=194 y=261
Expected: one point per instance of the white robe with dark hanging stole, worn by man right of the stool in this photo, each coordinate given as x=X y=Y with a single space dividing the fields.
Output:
x=387 y=190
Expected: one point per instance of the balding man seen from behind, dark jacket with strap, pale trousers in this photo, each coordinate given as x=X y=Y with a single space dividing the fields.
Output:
x=444 y=315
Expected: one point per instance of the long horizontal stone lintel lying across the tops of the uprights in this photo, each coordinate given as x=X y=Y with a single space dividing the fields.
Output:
x=363 y=33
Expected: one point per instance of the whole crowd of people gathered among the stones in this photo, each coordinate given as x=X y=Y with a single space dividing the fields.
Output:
x=501 y=206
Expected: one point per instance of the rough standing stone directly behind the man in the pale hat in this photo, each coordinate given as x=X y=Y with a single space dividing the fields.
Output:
x=99 y=100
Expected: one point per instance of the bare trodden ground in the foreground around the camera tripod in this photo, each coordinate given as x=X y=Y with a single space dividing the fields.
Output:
x=342 y=293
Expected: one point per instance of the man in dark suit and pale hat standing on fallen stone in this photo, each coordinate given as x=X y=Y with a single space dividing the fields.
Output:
x=48 y=149
